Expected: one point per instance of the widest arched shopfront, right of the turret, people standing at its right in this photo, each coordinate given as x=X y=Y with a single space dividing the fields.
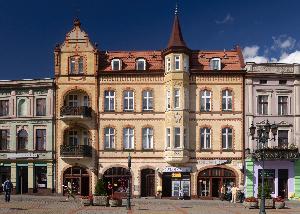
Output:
x=210 y=181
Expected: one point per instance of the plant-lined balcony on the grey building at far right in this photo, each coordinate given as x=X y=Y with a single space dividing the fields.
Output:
x=277 y=153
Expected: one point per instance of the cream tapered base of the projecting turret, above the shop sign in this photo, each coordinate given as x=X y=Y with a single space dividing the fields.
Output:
x=178 y=156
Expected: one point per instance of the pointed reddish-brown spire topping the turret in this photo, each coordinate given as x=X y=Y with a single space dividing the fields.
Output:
x=176 y=38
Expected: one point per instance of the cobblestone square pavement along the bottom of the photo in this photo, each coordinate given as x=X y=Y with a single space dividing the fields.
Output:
x=58 y=205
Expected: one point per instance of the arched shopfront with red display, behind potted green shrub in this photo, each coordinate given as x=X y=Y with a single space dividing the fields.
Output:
x=116 y=180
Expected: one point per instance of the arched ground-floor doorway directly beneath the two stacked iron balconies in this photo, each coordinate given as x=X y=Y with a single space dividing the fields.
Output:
x=79 y=179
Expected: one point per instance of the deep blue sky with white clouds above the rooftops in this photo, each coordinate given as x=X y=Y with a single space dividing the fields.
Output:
x=267 y=30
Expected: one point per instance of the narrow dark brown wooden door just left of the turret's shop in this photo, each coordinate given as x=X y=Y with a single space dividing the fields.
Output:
x=147 y=183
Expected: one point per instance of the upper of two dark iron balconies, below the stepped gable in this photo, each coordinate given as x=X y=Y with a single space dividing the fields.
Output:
x=71 y=112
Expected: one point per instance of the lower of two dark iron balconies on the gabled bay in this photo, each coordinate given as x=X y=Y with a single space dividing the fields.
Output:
x=79 y=151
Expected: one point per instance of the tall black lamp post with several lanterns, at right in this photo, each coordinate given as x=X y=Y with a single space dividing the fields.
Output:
x=262 y=137
